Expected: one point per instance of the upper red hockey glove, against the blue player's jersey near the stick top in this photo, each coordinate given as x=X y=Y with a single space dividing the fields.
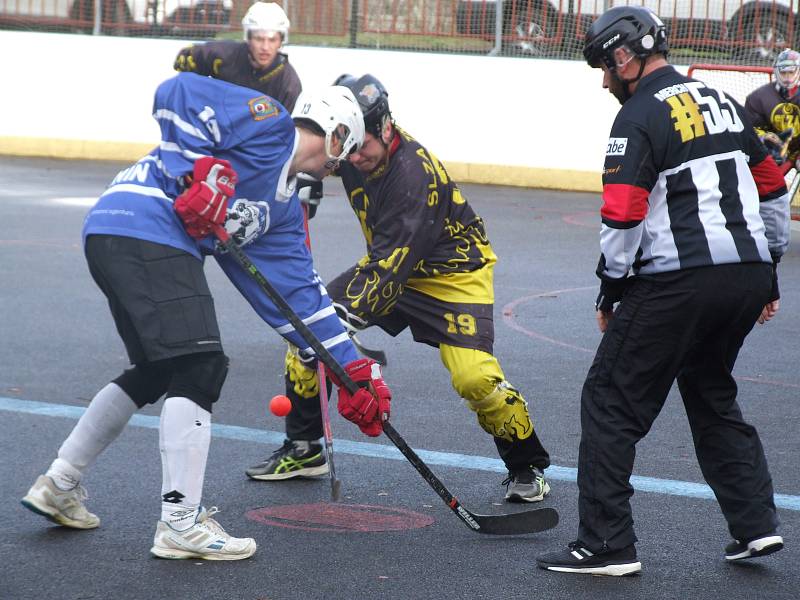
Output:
x=205 y=204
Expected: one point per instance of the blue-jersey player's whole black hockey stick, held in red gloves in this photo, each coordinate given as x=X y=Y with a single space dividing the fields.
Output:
x=530 y=521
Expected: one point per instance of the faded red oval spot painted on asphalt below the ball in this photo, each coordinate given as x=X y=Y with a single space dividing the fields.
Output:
x=323 y=516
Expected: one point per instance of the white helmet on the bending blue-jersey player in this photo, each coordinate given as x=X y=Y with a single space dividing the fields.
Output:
x=335 y=111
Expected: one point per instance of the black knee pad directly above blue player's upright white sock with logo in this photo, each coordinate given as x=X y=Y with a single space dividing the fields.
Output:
x=199 y=377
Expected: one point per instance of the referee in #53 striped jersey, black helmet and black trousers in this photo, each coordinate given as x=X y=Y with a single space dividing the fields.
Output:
x=695 y=218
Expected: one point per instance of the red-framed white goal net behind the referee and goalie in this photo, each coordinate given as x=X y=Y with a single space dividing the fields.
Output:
x=738 y=81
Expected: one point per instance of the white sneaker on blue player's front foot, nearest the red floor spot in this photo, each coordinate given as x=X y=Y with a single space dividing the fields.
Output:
x=205 y=539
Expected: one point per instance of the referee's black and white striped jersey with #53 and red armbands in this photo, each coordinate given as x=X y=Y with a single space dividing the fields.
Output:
x=687 y=183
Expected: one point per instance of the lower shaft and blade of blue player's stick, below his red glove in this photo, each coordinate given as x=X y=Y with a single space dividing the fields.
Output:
x=531 y=521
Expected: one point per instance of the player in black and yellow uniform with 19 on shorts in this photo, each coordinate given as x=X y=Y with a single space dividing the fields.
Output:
x=429 y=267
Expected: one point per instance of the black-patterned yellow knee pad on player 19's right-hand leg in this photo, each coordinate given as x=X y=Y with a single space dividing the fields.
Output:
x=503 y=413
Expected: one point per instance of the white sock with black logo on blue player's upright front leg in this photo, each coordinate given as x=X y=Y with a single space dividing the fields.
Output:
x=184 y=439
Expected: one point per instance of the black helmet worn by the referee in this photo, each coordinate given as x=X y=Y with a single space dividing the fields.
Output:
x=636 y=27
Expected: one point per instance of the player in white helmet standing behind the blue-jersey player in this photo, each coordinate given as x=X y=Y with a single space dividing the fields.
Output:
x=257 y=62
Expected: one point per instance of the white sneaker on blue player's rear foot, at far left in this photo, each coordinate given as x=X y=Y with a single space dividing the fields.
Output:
x=62 y=507
